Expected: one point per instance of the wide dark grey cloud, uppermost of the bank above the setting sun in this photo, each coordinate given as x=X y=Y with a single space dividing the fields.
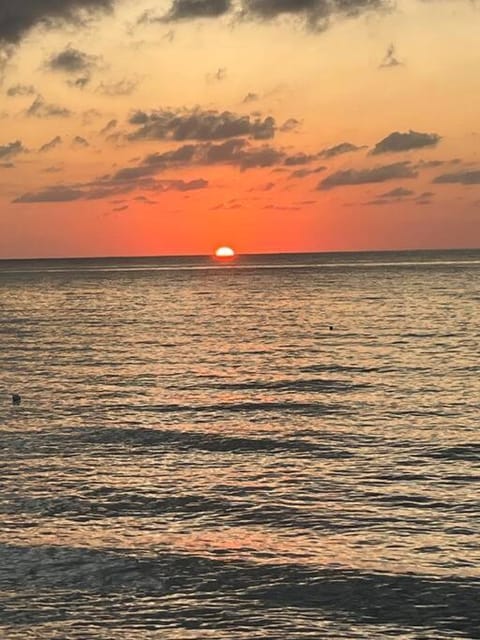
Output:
x=197 y=124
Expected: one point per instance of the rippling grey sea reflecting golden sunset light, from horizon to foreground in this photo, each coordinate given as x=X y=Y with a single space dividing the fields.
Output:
x=198 y=456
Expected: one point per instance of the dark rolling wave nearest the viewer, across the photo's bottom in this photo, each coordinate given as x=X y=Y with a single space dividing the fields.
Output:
x=115 y=589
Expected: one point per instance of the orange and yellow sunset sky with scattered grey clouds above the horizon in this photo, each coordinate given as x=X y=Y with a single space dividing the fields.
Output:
x=143 y=127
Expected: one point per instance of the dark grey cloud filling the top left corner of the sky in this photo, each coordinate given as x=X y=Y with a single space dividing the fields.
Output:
x=18 y=17
